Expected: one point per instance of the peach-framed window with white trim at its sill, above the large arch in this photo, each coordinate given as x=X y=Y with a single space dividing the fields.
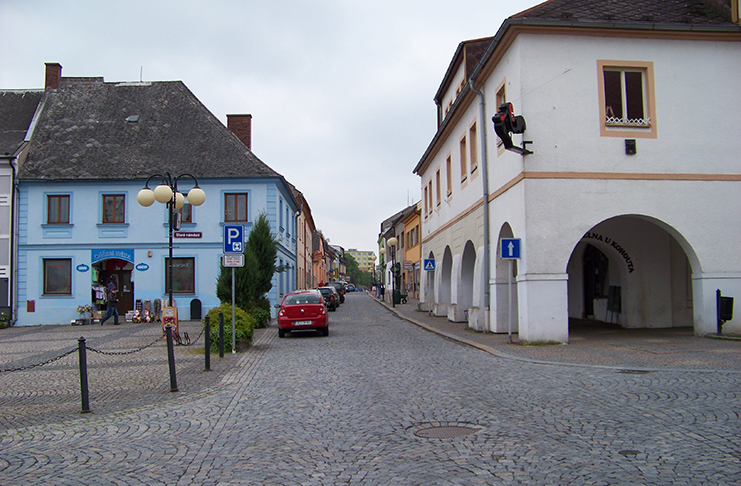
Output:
x=627 y=105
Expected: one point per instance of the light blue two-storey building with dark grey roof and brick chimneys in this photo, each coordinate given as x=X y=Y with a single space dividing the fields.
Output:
x=93 y=145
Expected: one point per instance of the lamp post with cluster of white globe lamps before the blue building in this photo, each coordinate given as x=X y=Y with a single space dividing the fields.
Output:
x=167 y=193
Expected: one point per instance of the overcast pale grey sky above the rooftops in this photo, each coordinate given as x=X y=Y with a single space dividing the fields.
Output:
x=340 y=90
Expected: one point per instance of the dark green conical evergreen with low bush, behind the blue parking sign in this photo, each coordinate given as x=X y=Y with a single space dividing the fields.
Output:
x=254 y=279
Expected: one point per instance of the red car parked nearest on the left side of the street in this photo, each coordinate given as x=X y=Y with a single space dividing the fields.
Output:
x=302 y=310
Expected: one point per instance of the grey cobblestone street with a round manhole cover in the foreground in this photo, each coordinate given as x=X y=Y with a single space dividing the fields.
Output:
x=379 y=401
